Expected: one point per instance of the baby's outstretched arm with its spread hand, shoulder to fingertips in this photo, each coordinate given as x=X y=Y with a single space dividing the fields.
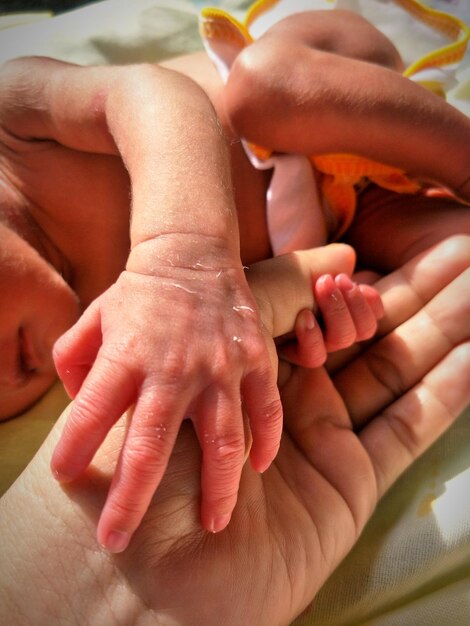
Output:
x=178 y=334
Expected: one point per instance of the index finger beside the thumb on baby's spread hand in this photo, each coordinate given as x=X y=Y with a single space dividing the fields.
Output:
x=106 y=393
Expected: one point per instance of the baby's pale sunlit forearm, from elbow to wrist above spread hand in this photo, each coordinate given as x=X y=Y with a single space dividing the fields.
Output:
x=177 y=157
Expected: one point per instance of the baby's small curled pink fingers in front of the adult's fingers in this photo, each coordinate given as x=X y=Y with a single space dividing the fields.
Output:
x=348 y=312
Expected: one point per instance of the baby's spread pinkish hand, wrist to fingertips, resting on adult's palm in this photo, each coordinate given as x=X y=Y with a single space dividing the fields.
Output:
x=186 y=343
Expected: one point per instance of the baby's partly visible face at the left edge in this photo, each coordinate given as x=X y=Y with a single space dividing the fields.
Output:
x=36 y=307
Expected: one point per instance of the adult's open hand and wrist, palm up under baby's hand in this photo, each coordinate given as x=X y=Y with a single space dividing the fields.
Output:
x=347 y=438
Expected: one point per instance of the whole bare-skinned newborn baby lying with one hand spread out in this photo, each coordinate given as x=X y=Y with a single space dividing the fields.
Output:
x=167 y=322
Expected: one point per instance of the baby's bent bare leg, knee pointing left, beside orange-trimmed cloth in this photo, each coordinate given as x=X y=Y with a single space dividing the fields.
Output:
x=343 y=84
